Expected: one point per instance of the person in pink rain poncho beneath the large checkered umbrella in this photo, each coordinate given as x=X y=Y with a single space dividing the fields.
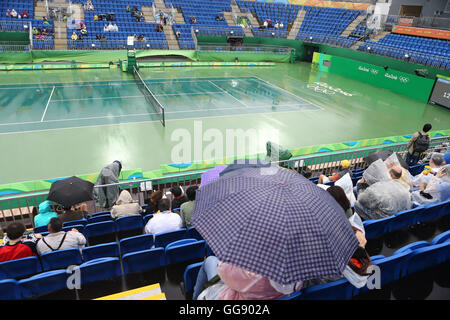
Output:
x=217 y=280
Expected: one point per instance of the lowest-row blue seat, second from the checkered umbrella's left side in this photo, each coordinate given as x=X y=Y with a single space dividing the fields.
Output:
x=143 y=260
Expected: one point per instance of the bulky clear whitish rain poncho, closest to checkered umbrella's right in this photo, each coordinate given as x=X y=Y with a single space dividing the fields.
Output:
x=384 y=196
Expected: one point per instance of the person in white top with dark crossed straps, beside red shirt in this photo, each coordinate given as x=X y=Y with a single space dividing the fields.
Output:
x=58 y=239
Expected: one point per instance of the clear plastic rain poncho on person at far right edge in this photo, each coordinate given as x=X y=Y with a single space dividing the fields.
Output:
x=437 y=190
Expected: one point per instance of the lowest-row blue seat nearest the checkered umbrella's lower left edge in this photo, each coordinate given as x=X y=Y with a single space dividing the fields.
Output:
x=184 y=250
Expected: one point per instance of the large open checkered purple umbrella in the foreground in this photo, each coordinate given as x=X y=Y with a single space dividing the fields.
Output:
x=279 y=225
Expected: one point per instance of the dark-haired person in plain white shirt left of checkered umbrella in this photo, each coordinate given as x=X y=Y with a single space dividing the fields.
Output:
x=163 y=221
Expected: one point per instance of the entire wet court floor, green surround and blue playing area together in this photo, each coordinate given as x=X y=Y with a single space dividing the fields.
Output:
x=78 y=121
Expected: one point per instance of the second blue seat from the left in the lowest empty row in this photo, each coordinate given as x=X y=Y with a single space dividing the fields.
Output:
x=44 y=283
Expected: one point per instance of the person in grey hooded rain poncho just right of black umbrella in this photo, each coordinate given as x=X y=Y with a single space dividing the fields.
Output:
x=106 y=197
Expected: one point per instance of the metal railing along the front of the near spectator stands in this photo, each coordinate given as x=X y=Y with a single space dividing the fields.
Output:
x=20 y=207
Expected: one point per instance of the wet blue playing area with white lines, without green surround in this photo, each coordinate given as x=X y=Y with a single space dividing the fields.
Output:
x=65 y=105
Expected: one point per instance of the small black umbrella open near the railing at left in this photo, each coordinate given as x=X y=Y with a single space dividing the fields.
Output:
x=71 y=191
